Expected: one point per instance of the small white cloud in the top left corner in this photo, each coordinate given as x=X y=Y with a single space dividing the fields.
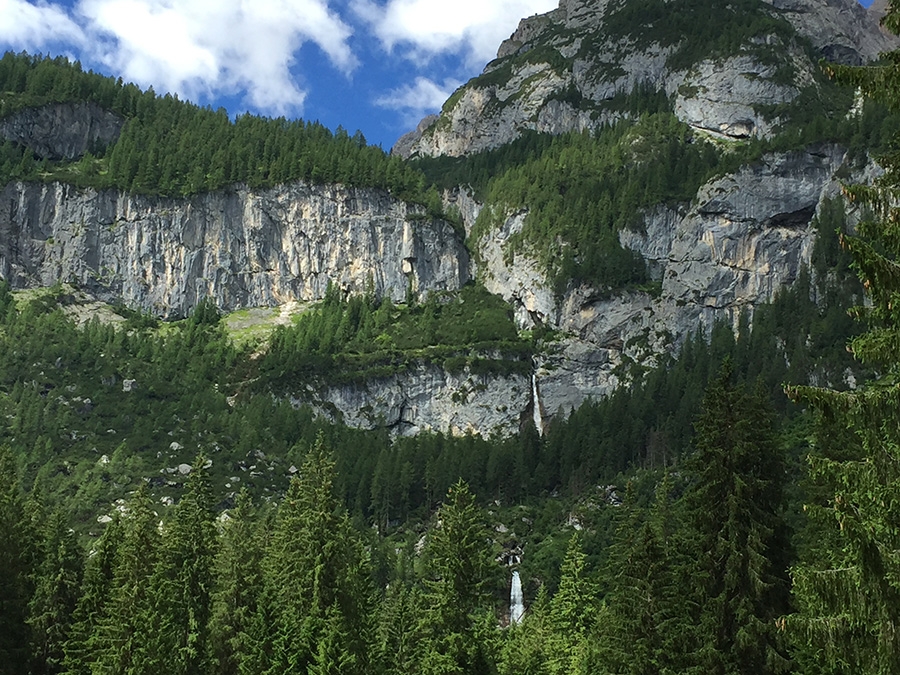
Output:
x=24 y=25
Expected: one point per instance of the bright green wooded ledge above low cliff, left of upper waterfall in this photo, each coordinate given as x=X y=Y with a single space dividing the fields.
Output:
x=364 y=337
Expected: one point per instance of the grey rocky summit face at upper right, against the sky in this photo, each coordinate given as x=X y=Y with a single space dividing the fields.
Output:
x=567 y=69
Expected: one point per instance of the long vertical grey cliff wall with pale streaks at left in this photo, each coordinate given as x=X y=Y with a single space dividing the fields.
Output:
x=240 y=247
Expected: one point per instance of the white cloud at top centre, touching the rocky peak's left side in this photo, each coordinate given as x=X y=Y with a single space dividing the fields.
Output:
x=474 y=28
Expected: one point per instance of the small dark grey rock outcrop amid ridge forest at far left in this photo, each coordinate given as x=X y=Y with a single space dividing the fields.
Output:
x=62 y=130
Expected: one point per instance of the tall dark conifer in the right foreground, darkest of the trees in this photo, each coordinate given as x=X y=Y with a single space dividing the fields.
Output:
x=733 y=507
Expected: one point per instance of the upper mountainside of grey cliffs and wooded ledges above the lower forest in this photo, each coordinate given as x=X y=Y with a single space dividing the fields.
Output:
x=715 y=141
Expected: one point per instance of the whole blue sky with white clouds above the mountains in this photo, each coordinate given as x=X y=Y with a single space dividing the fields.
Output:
x=374 y=65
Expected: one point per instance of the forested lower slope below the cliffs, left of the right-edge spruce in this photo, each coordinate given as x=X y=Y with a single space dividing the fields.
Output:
x=332 y=575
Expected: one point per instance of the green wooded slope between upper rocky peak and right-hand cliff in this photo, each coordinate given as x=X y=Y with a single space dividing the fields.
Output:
x=582 y=189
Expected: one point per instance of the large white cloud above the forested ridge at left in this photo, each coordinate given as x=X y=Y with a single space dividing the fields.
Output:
x=194 y=48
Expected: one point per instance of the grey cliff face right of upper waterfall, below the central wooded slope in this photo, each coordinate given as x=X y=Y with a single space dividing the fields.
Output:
x=742 y=238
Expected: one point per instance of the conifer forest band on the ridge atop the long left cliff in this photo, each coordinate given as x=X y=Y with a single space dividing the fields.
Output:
x=170 y=147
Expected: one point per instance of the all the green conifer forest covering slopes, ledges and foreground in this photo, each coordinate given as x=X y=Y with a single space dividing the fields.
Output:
x=168 y=507
